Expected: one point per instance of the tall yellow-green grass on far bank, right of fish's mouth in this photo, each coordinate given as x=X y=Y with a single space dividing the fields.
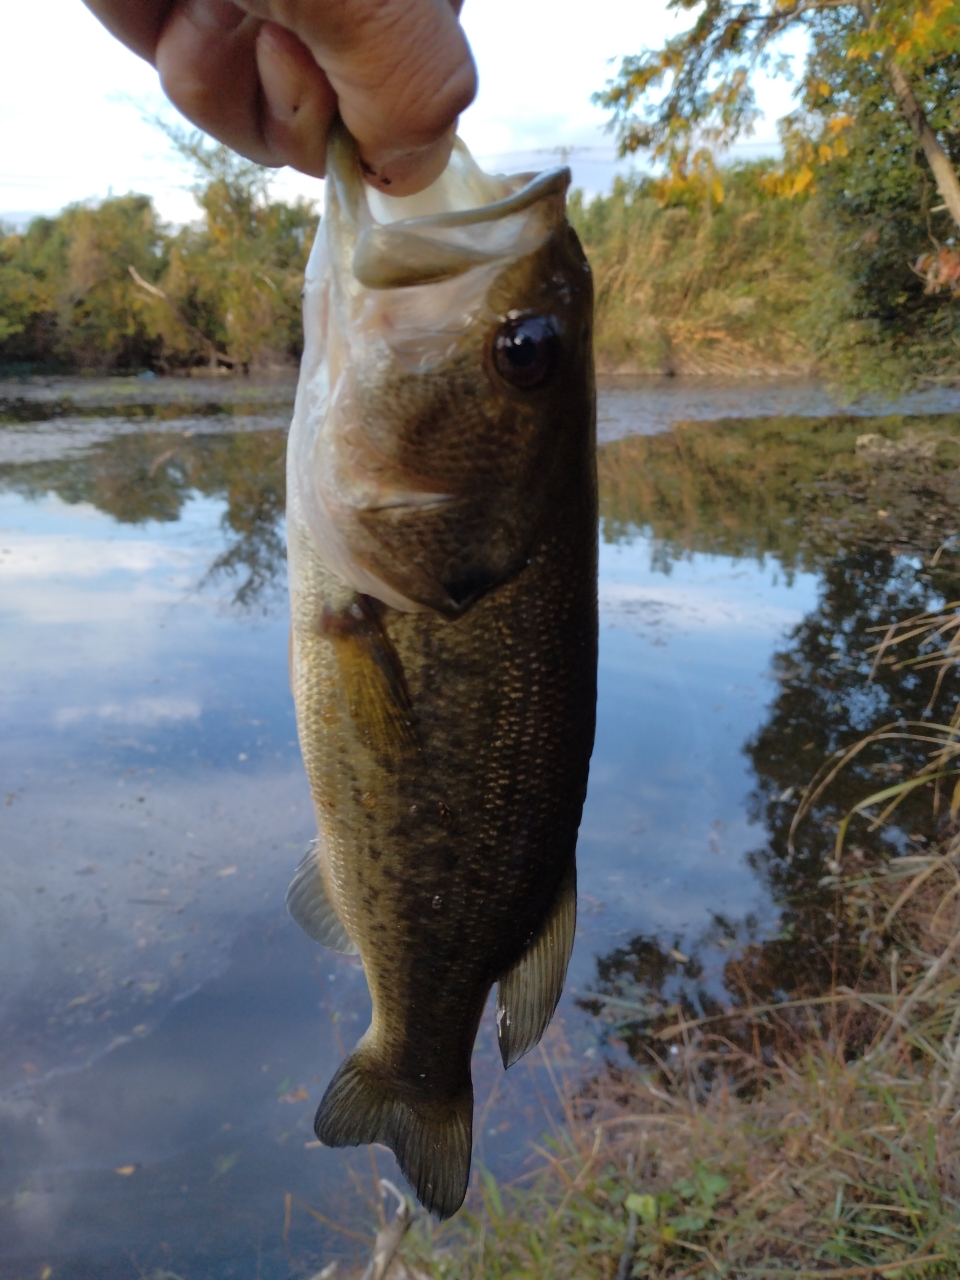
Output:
x=700 y=290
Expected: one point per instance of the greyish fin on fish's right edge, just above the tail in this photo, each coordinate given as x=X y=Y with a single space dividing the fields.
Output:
x=529 y=993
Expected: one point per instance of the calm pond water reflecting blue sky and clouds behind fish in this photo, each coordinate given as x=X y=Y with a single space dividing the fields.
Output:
x=167 y=1030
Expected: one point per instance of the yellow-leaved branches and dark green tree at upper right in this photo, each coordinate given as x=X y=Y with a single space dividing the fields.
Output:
x=876 y=134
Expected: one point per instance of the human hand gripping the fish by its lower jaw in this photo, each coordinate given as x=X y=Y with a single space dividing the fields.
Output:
x=267 y=77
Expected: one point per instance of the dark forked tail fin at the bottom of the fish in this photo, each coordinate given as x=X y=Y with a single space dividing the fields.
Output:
x=432 y=1140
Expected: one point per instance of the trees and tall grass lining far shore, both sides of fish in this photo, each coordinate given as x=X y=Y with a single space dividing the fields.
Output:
x=842 y=255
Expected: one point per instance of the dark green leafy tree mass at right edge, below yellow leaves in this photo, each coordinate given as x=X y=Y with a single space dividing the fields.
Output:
x=875 y=322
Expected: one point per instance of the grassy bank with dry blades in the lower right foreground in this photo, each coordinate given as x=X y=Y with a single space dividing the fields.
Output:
x=761 y=1145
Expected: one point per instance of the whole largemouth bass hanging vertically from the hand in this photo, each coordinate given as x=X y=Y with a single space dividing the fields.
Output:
x=442 y=545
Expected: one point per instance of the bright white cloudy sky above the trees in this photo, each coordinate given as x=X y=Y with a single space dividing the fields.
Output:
x=74 y=102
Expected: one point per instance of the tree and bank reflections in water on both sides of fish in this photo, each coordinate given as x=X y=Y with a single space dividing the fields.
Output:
x=870 y=505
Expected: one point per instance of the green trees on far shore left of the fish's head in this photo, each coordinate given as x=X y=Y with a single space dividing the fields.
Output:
x=108 y=286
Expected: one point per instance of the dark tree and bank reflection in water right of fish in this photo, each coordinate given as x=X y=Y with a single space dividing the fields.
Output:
x=874 y=509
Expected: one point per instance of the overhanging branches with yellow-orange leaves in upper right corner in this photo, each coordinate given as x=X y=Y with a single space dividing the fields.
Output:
x=710 y=100
